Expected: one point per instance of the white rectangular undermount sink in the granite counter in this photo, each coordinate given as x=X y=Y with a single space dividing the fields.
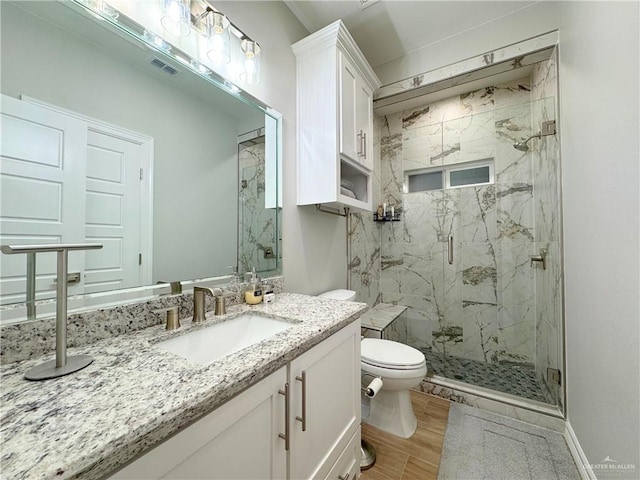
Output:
x=206 y=345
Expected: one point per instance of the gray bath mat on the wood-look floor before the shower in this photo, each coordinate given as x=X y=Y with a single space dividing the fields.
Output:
x=483 y=446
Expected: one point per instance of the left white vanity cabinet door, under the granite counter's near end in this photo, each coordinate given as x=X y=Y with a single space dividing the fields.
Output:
x=238 y=440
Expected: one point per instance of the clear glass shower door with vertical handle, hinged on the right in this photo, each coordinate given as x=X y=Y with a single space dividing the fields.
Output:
x=499 y=324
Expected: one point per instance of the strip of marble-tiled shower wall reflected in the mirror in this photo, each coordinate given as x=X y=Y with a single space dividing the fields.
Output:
x=257 y=223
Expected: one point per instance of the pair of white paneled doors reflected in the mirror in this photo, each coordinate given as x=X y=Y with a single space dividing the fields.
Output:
x=68 y=179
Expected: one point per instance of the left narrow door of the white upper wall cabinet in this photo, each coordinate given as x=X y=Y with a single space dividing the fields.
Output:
x=347 y=115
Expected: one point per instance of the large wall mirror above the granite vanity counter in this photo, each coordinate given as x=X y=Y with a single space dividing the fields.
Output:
x=107 y=140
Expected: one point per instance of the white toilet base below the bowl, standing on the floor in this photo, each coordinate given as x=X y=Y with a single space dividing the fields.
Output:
x=392 y=412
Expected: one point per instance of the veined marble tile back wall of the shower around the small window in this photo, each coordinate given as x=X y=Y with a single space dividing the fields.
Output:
x=482 y=307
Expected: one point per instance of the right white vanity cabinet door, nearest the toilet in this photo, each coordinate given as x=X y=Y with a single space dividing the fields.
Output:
x=330 y=404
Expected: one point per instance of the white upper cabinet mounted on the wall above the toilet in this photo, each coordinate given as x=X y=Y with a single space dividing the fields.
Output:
x=335 y=86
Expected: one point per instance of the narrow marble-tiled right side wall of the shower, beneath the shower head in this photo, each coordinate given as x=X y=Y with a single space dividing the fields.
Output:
x=546 y=167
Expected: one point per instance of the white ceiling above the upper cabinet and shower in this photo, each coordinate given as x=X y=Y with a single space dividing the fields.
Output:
x=389 y=29
